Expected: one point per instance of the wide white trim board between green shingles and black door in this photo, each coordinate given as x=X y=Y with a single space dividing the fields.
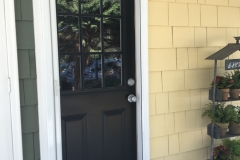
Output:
x=45 y=82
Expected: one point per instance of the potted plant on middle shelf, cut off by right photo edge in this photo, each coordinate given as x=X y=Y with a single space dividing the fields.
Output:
x=234 y=126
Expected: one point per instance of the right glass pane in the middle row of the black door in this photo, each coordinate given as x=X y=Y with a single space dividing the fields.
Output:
x=112 y=34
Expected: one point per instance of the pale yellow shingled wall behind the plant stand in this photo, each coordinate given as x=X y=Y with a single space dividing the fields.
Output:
x=182 y=33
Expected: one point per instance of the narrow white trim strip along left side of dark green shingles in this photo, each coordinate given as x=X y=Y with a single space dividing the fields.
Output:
x=13 y=79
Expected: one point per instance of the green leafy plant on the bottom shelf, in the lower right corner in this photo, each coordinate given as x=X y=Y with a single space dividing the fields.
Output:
x=233 y=145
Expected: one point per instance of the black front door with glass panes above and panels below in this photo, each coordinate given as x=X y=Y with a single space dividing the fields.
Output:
x=96 y=59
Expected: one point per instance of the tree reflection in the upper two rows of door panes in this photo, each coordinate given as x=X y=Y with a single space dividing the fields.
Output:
x=68 y=39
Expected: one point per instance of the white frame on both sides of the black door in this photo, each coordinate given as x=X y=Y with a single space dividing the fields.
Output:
x=45 y=33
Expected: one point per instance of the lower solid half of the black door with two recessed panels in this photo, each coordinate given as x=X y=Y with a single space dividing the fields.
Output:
x=108 y=128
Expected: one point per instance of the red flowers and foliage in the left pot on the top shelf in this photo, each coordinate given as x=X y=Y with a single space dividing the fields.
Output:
x=223 y=82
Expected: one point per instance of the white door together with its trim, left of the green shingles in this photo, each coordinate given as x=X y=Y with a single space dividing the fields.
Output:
x=10 y=117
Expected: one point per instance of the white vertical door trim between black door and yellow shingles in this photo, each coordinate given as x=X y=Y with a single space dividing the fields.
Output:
x=141 y=40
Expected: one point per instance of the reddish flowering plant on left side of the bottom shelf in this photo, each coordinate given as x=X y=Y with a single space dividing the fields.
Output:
x=221 y=153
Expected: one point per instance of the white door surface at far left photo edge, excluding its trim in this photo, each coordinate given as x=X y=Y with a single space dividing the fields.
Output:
x=6 y=150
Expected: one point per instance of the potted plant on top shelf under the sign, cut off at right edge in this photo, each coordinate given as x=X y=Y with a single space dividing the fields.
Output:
x=235 y=88
